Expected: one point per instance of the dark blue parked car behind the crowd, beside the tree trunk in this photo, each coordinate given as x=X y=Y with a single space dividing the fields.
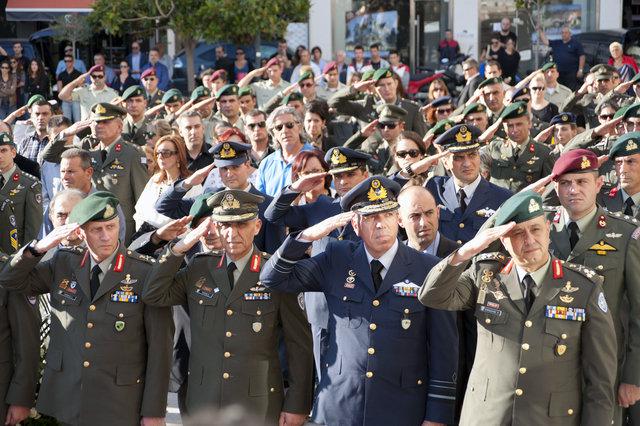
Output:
x=205 y=57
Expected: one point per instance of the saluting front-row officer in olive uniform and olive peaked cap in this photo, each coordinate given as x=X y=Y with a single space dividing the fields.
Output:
x=236 y=319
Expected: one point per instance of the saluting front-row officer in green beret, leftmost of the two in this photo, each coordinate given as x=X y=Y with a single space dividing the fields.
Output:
x=104 y=340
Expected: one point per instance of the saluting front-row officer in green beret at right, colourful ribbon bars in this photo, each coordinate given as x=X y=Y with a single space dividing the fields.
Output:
x=546 y=343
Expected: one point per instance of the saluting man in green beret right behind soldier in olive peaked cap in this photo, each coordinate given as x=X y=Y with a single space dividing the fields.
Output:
x=345 y=101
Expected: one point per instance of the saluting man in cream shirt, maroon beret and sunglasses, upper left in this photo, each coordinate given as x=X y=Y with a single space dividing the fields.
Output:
x=88 y=95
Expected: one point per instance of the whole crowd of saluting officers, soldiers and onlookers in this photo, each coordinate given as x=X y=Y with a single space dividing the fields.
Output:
x=308 y=244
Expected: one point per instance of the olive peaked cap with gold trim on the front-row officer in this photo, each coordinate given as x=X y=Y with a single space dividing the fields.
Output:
x=234 y=205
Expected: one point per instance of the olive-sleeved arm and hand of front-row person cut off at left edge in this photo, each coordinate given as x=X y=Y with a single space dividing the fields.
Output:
x=20 y=352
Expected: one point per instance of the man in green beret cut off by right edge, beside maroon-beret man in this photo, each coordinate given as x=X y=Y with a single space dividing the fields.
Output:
x=625 y=196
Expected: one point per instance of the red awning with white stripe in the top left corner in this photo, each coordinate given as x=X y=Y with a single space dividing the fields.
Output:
x=44 y=10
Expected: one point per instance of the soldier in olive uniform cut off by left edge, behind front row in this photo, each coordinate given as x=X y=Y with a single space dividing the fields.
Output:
x=20 y=200
